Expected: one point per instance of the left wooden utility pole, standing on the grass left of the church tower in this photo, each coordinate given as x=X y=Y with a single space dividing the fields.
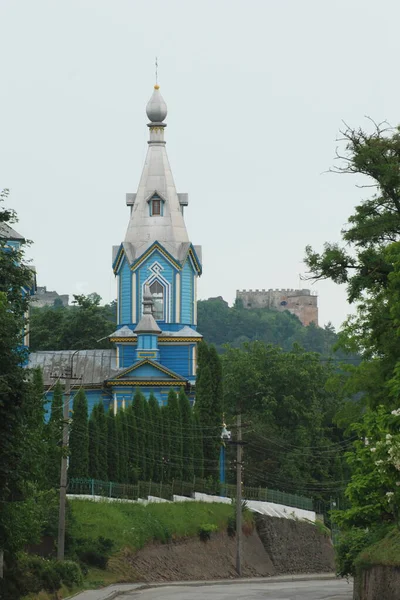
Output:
x=64 y=464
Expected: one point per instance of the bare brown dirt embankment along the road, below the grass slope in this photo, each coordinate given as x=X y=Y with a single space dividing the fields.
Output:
x=276 y=546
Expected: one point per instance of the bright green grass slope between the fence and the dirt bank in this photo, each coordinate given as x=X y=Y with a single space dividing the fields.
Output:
x=134 y=525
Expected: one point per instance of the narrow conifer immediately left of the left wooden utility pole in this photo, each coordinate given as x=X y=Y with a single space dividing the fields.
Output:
x=54 y=437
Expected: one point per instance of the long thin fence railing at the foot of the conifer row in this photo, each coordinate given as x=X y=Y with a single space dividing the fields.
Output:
x=142 y=489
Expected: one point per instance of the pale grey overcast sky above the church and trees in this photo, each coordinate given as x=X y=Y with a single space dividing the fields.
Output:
x=257 y=92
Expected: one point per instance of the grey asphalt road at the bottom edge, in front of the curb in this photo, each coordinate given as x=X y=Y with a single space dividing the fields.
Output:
x=298 y=590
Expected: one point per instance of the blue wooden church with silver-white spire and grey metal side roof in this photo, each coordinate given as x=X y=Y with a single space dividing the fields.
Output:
x=156 y=269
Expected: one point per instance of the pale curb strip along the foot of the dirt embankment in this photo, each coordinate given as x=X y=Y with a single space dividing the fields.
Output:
x=125 y=589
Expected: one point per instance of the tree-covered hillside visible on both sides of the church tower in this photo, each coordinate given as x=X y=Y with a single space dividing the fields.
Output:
x=86 y=322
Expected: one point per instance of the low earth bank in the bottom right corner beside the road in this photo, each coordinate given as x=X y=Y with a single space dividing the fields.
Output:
x=378 y=582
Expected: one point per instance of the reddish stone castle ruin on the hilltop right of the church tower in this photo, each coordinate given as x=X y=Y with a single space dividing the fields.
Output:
x=301 y=303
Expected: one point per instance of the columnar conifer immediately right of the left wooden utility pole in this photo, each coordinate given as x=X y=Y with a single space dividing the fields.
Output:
x=79 y=437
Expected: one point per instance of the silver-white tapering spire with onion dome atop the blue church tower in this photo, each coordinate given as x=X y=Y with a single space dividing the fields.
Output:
x=168 y=228
